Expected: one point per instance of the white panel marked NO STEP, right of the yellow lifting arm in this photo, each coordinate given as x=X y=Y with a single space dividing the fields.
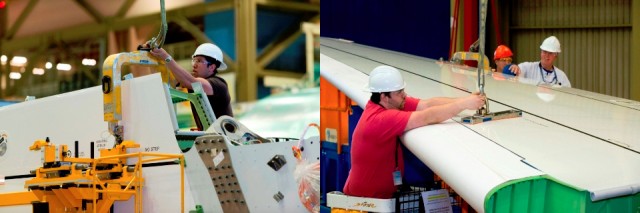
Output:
x=147 y=121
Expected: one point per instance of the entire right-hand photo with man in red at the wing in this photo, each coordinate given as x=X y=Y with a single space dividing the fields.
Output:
x=478 y=106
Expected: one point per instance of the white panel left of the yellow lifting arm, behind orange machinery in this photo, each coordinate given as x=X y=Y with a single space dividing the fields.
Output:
x=63 y=118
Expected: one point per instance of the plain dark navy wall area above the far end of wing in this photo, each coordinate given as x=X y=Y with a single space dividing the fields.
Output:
x=416 y=27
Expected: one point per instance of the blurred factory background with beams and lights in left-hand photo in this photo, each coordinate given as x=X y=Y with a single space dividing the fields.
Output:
x=54 y=47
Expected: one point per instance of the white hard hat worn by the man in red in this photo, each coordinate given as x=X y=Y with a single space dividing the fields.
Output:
x=385 y=79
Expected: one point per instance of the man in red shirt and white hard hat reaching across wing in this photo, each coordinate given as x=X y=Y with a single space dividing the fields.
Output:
x=376 y=157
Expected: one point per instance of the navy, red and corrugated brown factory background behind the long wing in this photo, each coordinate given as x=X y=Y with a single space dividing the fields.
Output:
x=597 y=37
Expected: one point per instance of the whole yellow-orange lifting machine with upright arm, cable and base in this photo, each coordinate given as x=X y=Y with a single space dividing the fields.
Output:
x=71 y=184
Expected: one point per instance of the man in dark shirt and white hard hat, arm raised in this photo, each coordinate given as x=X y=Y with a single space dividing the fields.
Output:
x=206 y=62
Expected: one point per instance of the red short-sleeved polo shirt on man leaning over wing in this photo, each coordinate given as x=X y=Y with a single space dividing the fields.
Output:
x=372 y=150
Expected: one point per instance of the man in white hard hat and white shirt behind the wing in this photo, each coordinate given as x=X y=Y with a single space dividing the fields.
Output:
x=543 y=71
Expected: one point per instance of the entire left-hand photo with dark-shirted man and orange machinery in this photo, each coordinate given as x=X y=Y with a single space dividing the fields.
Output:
x=159 y=106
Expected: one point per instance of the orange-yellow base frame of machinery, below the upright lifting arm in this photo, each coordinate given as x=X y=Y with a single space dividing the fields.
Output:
x=72 y=184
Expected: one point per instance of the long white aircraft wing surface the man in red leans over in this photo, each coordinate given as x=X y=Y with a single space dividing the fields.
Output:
x=577 y=137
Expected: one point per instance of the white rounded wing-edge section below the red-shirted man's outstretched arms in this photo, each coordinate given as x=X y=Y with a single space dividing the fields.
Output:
x=471 y=165
